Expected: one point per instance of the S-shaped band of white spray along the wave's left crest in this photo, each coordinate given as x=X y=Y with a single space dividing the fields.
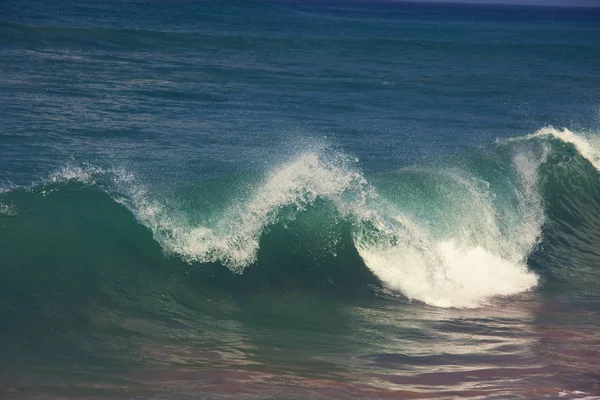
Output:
x=234 y=240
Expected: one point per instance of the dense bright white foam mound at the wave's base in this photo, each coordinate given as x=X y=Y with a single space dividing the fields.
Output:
x=447 y=275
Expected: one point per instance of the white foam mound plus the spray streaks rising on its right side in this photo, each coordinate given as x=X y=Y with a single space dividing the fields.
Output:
x=475 y=262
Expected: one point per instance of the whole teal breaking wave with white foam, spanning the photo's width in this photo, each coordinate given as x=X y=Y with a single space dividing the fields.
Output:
x=445 y=236
